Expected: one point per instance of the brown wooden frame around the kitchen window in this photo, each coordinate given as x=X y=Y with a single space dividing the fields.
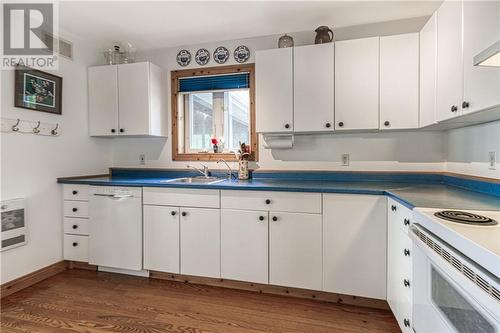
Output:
x=218 y=70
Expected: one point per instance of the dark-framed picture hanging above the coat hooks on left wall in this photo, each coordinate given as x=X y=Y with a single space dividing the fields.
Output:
x=38 y=91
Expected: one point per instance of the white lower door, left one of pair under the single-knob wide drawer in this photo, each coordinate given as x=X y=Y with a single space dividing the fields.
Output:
x=244 y=245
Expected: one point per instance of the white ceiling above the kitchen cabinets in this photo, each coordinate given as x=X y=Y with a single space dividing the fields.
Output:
x=162 y=24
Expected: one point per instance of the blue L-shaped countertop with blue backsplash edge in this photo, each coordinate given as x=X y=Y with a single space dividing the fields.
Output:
x=416 y=190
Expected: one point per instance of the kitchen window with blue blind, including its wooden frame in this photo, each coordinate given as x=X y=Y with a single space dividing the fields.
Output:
x=213 y=104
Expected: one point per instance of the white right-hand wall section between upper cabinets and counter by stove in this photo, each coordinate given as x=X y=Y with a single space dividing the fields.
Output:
x=469 y=147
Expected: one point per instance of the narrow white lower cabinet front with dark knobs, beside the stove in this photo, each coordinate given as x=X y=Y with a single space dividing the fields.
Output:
x=399 y=264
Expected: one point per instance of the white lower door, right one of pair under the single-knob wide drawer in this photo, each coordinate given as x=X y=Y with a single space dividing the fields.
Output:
x=295 y=250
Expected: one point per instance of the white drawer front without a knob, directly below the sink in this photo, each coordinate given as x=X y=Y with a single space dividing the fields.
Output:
x=181 y=197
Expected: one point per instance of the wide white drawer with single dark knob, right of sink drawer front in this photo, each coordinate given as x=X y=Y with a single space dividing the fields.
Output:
x=275 y=201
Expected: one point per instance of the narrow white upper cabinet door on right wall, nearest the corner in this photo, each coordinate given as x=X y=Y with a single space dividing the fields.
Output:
x=428 y=58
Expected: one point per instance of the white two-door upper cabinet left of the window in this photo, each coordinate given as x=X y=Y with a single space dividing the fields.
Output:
x=127 y=99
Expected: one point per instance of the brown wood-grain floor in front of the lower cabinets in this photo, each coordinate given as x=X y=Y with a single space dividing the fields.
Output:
x=86 y=301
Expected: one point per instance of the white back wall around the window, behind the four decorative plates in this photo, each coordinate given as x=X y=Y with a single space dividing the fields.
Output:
x=375 y=151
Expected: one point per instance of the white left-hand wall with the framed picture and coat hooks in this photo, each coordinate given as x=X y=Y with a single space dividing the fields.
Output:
x=30 y=164
